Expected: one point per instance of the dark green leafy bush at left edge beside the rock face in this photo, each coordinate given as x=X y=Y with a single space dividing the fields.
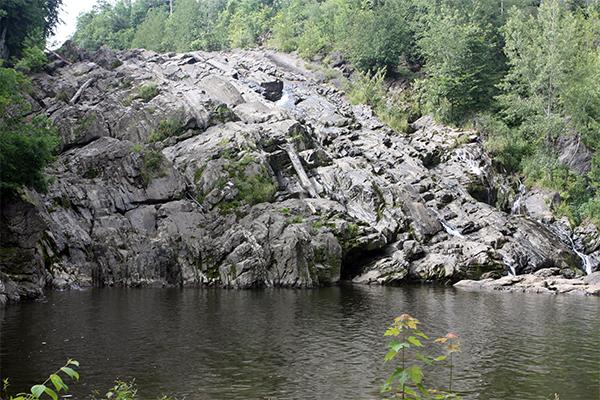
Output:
x=27 y=141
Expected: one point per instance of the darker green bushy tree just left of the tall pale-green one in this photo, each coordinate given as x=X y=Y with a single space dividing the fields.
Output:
x=459 y=51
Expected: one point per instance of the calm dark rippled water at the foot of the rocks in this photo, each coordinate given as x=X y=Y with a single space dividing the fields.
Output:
x=301 y=344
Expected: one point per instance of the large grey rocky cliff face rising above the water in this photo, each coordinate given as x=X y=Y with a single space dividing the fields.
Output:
x=244 y=169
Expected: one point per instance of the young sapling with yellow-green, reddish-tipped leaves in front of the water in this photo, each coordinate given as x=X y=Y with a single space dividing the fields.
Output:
x=410 y=377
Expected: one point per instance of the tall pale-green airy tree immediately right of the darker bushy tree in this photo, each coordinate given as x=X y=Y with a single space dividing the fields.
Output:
x=540 y=50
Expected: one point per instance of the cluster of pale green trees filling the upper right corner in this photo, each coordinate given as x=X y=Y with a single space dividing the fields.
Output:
x=550 y=90
